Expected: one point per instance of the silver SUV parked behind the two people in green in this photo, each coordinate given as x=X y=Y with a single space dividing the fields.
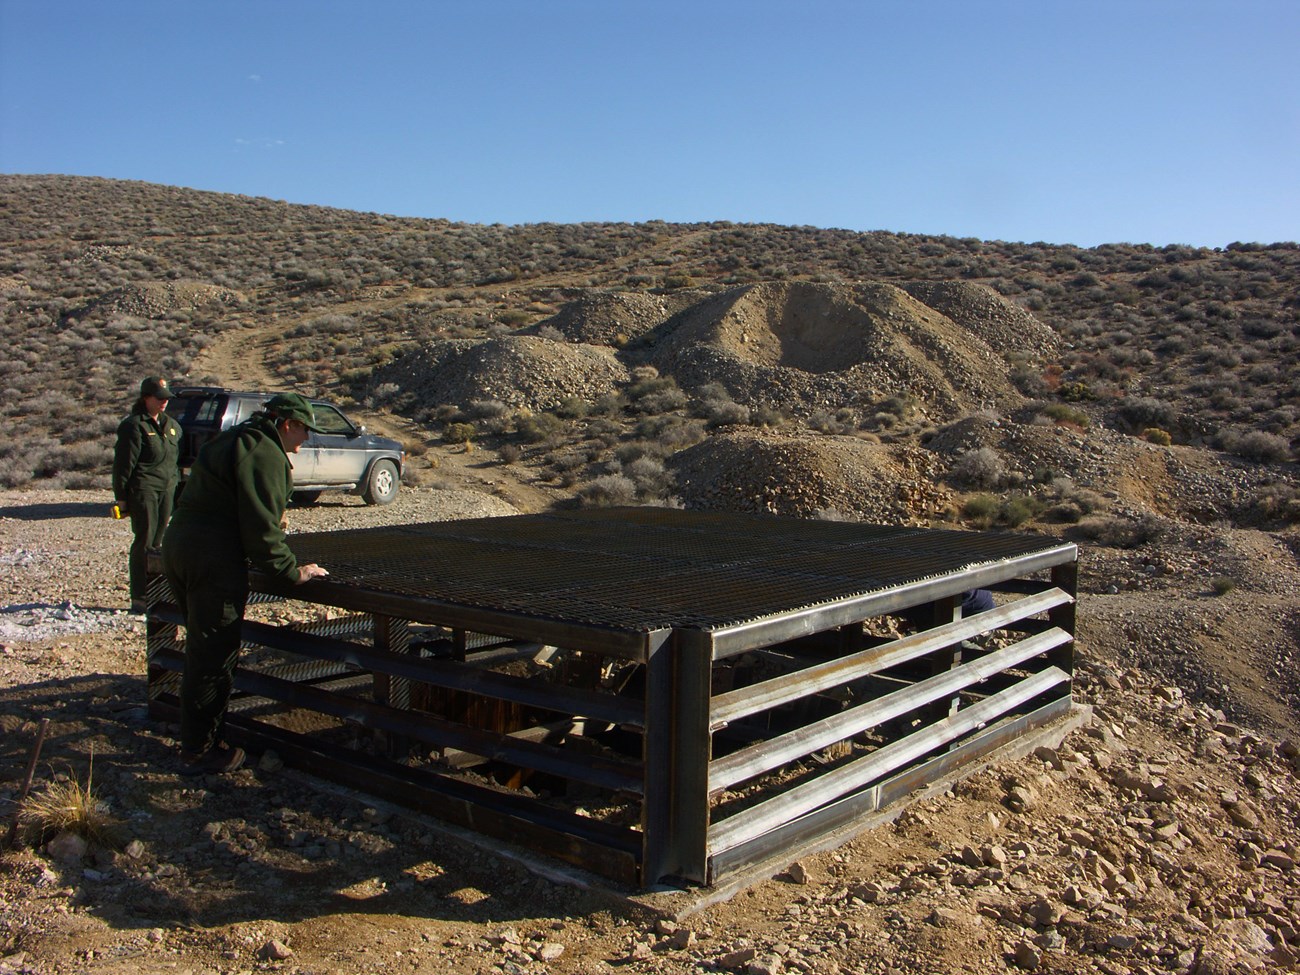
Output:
x=341 y=457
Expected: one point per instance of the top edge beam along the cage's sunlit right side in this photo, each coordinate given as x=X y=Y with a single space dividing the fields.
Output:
x=749 y=636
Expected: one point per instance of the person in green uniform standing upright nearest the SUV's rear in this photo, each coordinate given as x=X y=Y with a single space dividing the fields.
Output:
x=146 y=470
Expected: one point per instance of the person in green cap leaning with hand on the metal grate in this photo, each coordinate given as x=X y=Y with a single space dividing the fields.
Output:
x=231 y=518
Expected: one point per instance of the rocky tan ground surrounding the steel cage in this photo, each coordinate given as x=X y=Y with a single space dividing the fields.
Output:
x=1162 y=838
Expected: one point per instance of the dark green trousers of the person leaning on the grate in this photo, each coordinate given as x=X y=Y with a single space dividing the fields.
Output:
x=210 y=582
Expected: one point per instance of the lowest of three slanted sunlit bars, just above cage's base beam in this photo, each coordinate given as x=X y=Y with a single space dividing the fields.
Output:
x=759 y=820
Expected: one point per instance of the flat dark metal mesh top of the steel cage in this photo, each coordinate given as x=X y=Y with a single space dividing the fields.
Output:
x=640 y=570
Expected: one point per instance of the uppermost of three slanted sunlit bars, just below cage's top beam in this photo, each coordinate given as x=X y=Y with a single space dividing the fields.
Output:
x=812 y=681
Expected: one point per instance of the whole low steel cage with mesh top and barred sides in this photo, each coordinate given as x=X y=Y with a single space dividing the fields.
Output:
x=657 y=696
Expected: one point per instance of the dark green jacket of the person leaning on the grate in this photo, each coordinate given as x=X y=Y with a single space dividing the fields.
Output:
x=237 y=493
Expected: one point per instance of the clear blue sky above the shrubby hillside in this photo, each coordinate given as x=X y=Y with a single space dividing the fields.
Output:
x=1086 y=122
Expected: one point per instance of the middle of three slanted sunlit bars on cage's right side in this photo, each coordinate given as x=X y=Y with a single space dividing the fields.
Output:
x=748 y=762
